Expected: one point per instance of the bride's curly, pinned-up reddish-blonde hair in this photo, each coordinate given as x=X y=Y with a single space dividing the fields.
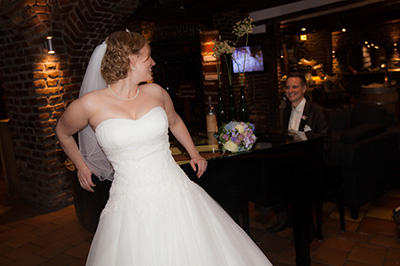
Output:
x=116 y=64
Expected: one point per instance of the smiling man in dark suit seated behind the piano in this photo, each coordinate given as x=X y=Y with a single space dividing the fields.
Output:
x=301 y=115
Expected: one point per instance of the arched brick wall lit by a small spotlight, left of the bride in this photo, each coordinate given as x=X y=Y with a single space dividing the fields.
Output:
x=37 y=87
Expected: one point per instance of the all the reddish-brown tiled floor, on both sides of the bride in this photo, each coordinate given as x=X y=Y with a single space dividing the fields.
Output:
x=29 y=236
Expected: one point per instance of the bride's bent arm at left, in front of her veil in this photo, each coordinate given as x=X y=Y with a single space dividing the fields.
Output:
x=73 y=120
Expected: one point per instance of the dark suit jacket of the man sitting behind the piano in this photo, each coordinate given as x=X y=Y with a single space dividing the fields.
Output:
x=316 y=118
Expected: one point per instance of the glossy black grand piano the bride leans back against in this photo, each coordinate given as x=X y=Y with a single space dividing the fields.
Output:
x=279 y=167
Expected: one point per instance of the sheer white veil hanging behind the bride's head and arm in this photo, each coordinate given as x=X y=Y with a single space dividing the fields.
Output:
x=89 y=148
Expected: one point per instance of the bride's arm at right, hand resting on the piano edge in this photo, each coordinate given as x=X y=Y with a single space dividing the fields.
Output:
x=181 y=133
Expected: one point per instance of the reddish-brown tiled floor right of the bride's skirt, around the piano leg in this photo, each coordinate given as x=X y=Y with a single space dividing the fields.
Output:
x=373 y=239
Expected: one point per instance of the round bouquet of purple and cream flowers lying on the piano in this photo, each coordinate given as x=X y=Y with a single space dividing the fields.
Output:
x=236 y=136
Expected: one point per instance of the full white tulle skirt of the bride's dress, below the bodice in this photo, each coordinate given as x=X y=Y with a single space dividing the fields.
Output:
x=184 y=228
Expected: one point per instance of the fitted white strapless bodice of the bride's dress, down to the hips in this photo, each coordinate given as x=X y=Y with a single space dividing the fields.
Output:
x=139 y=152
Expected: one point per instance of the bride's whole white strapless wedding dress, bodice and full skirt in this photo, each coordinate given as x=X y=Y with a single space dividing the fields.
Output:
x=156 y=215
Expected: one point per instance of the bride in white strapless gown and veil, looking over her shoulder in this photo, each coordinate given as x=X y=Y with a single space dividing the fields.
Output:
x=155 y=214
